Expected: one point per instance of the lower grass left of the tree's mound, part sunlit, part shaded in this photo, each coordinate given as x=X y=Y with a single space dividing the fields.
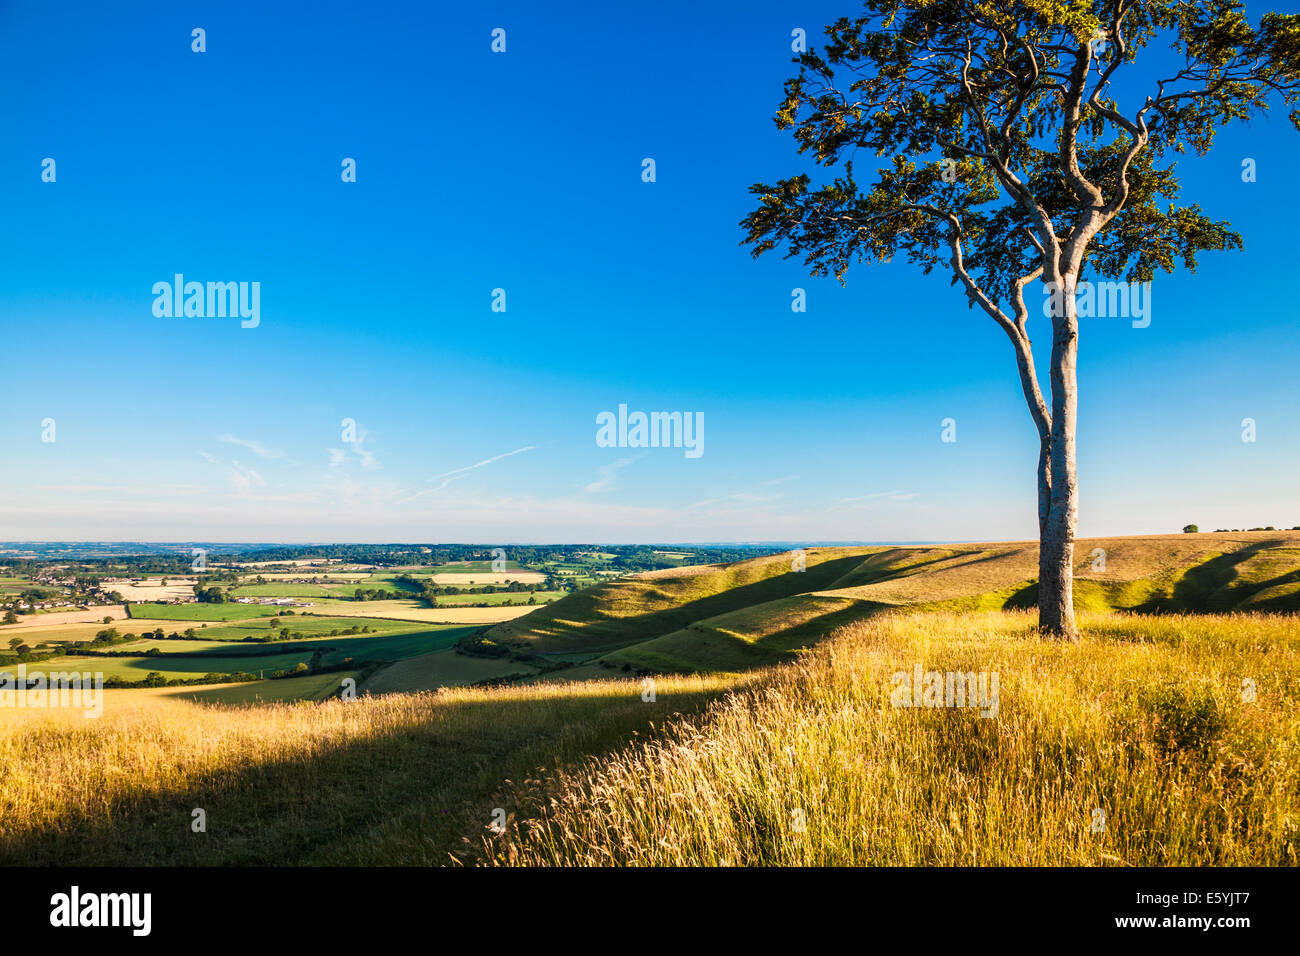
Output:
x=387 y=780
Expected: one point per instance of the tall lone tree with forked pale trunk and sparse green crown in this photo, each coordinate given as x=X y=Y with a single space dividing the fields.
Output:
x=1024 y=148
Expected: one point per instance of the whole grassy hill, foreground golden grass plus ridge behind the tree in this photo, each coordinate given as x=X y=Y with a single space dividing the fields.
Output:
x=791 y=751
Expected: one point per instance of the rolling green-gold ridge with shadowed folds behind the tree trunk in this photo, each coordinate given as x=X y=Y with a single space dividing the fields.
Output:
x=761 y=612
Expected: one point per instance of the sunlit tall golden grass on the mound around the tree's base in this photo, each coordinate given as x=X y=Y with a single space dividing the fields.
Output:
x=1145 y=721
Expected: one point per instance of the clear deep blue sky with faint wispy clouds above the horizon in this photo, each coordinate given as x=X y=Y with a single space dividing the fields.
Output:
x=522 y=171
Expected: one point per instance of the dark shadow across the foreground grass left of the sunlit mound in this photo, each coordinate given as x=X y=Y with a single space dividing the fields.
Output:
x=406 y=798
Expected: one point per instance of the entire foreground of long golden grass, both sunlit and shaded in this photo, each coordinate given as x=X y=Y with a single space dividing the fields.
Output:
x=805 y=764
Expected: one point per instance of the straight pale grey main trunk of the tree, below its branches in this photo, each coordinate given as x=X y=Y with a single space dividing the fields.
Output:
x=1056 y=539
